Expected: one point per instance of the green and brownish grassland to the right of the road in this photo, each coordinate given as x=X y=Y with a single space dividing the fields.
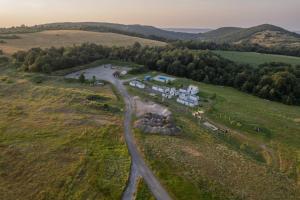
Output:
x=199 y=164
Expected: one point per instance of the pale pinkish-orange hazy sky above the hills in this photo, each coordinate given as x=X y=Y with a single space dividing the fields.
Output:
x=160 y=13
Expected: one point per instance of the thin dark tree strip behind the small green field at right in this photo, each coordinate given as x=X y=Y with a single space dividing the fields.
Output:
x=243 y=47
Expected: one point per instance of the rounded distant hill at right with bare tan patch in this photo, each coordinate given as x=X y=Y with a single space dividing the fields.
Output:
x=265 y=35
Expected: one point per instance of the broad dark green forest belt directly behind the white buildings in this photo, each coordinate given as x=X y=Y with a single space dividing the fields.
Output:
x=273 y=81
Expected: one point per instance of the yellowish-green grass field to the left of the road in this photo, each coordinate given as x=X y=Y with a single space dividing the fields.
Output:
x=58 y=141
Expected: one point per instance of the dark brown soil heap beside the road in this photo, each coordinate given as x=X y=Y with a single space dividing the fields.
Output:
x=157 y=124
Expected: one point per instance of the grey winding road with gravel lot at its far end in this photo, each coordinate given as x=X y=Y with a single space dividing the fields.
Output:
x=138 y=163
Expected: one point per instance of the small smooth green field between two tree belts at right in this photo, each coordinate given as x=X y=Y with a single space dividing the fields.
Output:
x=257 y=58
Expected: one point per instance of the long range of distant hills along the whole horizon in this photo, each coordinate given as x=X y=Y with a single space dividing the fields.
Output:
x=266 y=35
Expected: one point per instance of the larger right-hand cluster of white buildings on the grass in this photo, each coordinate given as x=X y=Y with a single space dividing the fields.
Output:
x=186 y=97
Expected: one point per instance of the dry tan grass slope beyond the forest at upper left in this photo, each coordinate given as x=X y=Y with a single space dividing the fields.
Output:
x=46 y=39
